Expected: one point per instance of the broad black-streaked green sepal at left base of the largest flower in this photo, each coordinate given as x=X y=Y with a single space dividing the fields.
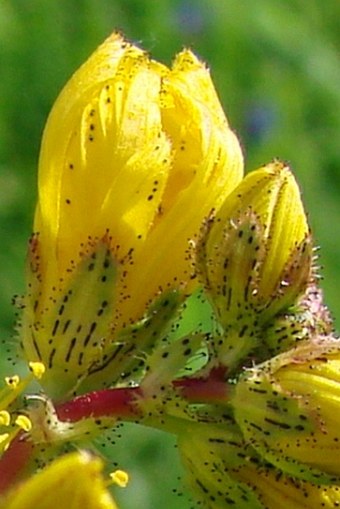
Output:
x=70 y=334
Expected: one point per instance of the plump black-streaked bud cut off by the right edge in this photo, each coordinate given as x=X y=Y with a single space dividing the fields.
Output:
x=288 y=409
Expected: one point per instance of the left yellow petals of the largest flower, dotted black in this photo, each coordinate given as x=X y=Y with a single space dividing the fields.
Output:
x=102 y=154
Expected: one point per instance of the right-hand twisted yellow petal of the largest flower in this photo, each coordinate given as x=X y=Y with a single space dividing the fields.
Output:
x=207 y=164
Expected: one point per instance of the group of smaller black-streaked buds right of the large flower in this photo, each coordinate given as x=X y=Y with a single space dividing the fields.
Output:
x=272 y=437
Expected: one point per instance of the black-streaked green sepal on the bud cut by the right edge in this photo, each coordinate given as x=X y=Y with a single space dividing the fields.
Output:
x=275 y=423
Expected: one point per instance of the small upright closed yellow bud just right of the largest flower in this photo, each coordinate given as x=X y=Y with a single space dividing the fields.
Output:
x=255 y=261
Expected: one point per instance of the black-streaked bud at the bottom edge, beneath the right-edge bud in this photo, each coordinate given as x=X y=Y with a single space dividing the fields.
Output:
x=223 y=471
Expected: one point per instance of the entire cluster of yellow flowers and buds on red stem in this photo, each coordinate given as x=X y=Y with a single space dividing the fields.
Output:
x=142 y=211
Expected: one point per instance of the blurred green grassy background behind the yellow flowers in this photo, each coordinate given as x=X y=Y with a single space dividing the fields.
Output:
x=276 y=66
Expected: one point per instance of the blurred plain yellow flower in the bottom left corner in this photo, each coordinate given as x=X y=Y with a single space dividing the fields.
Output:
x=73 y=481
